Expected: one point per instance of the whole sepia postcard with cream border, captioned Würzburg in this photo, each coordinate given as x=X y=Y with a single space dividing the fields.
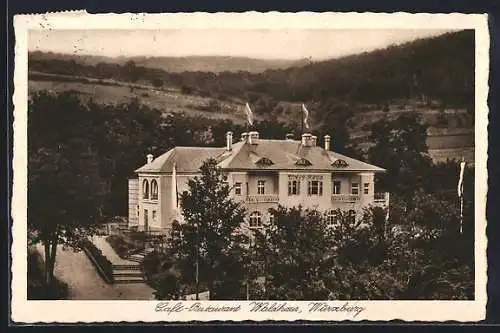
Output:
x=249 y=166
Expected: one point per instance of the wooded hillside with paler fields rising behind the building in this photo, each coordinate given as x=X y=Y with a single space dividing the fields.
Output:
x=433 y=76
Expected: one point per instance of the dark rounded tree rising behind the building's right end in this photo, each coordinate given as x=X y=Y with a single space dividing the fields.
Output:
x=401 y=148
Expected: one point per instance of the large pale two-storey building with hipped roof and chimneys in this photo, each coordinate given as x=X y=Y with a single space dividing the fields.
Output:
x=263 y=173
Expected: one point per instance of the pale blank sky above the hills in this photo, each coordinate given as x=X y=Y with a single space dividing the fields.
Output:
x=263 y=44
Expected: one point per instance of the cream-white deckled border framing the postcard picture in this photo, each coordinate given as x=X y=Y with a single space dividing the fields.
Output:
x=130 y=311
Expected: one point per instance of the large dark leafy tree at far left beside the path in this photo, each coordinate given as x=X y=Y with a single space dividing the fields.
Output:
x=65 y=188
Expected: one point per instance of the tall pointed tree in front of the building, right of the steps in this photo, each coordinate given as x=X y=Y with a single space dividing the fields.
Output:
x=211 y=234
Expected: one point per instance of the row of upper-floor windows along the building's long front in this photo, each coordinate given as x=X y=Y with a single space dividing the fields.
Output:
x=314 y=187
